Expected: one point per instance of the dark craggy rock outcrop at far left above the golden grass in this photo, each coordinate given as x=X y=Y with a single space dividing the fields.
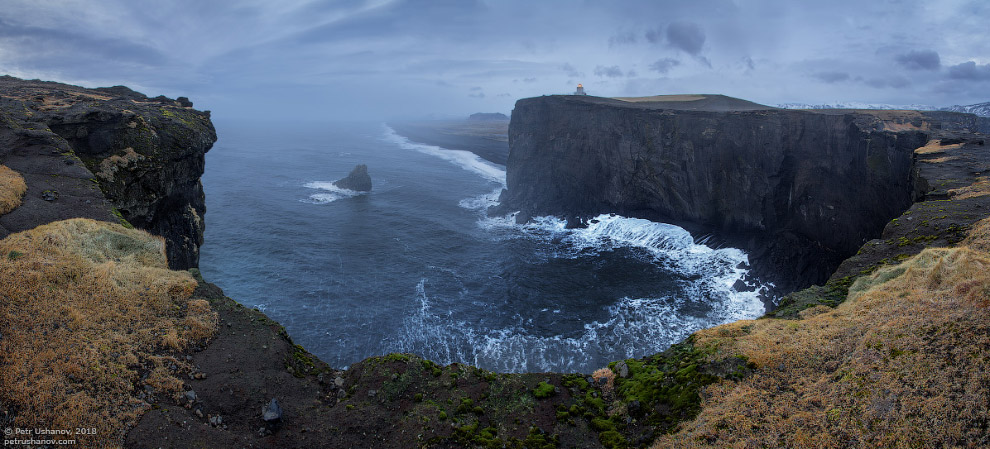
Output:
x=145 y=154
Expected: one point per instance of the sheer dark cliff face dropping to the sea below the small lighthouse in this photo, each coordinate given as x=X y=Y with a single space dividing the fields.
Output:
x=799 y=190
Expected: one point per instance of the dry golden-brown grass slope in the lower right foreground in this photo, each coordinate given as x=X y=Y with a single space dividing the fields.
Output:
x=904 y=362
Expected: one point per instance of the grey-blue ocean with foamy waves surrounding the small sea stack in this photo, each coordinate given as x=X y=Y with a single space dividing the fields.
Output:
x=417 y=266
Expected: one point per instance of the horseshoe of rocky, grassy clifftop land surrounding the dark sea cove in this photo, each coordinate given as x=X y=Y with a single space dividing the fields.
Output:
x=102 y=326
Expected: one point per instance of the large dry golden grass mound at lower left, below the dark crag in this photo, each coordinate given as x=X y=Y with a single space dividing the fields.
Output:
x=90 y=315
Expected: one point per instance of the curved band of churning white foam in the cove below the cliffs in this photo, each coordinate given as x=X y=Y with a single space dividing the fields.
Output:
x=634 y=327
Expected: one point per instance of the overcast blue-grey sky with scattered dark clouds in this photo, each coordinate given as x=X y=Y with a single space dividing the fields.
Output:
x=389 y=59
